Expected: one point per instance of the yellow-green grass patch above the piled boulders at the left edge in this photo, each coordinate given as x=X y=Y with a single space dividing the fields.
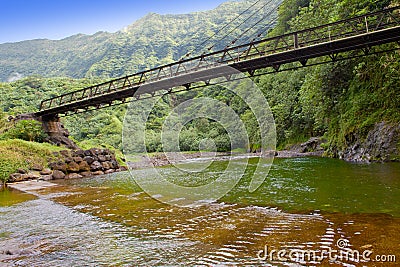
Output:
x=18 y=154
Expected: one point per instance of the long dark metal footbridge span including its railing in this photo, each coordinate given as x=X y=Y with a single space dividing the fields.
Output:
x=362 y=32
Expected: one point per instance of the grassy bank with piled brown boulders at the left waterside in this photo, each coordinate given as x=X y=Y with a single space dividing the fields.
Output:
x=23 y=161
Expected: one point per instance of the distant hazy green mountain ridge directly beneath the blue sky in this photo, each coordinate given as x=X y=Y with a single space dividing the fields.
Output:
x=153 y=40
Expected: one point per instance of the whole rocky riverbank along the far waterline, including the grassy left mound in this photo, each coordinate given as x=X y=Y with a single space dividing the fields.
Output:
x=33 y=161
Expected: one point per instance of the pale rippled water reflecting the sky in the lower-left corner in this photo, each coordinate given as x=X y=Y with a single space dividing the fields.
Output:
x=43 y=233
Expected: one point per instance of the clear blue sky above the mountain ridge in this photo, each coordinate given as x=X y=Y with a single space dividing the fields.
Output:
x=56 y=19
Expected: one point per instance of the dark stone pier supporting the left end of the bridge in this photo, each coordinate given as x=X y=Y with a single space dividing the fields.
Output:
x=52 y=126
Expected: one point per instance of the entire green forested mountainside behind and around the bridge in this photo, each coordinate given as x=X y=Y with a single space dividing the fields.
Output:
x=349 y=103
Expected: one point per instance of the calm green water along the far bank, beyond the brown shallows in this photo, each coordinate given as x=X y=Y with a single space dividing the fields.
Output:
x=294 y=185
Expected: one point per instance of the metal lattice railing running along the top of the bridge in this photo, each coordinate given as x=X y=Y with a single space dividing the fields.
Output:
x=296 y=40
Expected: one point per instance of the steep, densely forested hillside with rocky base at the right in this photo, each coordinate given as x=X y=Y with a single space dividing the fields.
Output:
x=347 y=102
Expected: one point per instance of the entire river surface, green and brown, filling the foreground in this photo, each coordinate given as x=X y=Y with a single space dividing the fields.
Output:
x=305 y=204
